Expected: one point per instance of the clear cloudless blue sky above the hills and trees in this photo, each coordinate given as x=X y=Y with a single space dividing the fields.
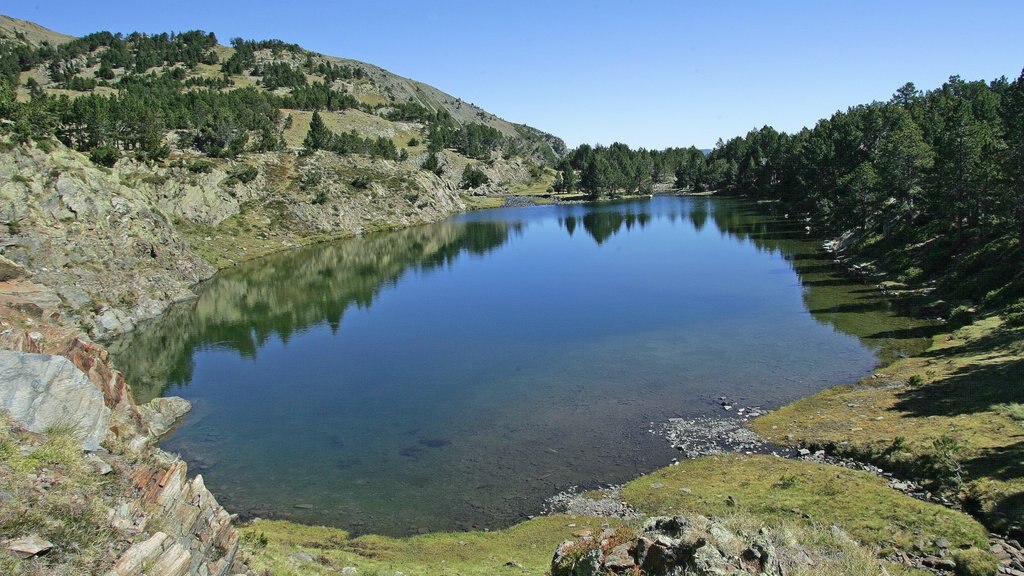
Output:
x=649 y=74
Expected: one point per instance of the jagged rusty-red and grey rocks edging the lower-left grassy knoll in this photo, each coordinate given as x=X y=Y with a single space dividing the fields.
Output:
x=172 y=525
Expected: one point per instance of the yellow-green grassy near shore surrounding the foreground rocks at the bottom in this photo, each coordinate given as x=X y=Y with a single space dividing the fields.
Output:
x=799 y=504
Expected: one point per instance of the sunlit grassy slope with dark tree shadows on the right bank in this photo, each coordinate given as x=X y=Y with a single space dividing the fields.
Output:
x=964 y=393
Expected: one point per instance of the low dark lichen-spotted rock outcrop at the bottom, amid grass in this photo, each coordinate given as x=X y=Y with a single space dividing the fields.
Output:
x=668 y=547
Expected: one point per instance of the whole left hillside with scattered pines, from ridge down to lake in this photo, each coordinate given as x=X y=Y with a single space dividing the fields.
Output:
x=137 y=166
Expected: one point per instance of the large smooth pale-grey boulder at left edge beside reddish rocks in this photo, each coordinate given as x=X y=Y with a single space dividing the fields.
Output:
x=41 y=392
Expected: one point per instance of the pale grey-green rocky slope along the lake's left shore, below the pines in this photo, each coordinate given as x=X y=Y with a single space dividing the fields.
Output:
x=119 y=245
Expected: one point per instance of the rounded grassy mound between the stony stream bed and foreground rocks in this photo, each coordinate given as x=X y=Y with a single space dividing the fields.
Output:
x=778 y=490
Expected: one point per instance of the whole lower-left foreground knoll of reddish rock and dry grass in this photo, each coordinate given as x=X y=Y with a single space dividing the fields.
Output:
x=126 y=508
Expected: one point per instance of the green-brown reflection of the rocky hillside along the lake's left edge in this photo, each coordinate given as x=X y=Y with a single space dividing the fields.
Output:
x=280 y=296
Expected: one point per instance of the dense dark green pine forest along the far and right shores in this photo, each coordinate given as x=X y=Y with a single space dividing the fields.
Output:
x=937 y=177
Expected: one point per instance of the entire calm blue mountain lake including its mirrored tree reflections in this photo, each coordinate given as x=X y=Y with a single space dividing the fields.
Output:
x=455 y=376
